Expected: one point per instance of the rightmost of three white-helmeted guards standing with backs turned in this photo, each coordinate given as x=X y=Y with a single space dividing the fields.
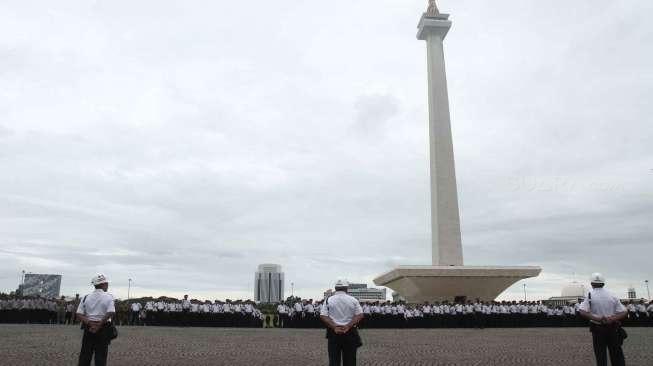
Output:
x=605 y=313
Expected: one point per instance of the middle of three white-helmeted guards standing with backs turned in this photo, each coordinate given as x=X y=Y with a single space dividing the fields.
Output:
x=341 y=313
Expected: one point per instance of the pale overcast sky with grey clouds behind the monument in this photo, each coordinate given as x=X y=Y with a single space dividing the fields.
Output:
x=181 y=144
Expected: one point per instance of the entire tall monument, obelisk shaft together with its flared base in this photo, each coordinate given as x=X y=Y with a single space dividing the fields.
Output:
x=447 y=278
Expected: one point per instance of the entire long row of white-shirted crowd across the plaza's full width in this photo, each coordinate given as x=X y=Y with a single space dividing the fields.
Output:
x=306 y=313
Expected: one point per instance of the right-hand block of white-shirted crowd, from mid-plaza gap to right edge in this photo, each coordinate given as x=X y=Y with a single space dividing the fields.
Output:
x=505 y=314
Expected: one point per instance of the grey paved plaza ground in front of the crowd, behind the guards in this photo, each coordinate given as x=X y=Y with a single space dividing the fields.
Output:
x=59 y=345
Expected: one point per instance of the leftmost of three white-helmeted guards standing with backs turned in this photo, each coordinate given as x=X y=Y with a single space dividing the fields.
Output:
x=95 y=312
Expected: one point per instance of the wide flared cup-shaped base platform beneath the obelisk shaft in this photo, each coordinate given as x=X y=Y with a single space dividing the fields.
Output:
x=418 y=284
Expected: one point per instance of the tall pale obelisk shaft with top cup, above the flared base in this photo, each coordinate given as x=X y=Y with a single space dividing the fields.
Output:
x=445 y=217
